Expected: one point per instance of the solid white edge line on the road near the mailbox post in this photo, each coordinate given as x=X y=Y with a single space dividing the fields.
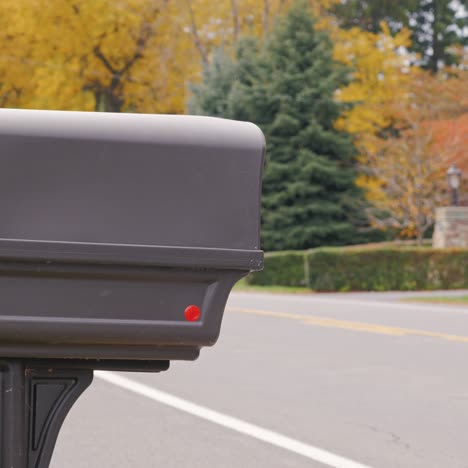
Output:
x=235 y=424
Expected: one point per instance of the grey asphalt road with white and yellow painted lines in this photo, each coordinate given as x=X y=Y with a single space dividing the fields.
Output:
x=364 y=377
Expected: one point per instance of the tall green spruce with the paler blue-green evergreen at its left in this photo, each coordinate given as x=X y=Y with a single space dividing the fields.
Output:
x=287 y=88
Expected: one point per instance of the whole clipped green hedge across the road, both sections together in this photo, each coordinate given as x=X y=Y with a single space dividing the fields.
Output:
x=373 y=268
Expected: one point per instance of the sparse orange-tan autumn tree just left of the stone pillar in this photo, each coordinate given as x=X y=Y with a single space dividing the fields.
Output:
x=406 y=167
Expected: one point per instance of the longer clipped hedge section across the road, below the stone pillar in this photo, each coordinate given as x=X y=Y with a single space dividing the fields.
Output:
x=387 y=269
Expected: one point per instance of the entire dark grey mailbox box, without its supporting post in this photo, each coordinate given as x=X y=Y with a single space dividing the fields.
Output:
x=112 y=224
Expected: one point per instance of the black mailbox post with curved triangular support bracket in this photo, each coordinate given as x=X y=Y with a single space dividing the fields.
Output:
x=34 y=401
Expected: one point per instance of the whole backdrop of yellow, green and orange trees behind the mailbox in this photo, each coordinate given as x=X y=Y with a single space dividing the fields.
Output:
x=364 y=104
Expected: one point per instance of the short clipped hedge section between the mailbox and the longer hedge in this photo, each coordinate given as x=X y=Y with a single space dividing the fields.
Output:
x=281 y=269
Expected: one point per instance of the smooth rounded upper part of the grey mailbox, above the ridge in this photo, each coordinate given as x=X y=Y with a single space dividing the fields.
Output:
x=152 y=180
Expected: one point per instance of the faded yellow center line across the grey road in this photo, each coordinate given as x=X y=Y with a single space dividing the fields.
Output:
x=348 y=325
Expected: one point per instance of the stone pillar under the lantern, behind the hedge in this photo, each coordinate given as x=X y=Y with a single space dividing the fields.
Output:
x=451 y=227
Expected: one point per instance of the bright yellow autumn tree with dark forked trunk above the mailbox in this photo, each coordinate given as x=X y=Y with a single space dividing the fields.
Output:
x=103 y=55
